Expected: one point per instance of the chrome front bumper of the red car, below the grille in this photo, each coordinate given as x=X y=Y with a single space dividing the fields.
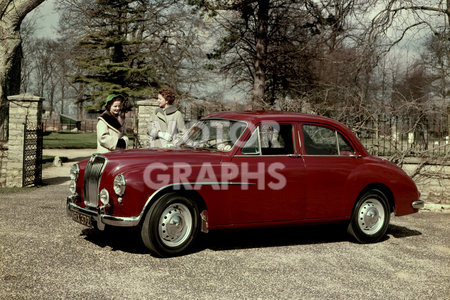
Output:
x=99 y=216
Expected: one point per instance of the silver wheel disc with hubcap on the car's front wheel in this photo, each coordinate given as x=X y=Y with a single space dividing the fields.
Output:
x=175 y=225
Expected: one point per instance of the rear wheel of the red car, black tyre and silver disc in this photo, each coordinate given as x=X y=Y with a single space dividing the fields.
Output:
x=370 y=217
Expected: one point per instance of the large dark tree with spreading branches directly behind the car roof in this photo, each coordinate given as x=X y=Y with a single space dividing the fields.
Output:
x=272 y=46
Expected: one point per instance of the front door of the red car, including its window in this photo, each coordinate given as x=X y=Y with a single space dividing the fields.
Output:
x=271 y=176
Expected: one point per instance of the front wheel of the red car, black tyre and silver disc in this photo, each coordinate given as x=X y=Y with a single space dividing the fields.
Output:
x=170 y=225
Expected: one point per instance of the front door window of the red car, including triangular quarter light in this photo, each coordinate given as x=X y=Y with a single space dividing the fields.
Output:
x=270 y=139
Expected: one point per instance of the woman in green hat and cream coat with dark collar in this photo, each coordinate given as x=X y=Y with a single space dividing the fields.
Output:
x=111 y=131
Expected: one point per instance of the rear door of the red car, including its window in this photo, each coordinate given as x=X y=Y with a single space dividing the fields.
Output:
x=329 y=160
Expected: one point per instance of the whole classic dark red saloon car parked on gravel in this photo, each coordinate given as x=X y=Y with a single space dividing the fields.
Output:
x=242 y=169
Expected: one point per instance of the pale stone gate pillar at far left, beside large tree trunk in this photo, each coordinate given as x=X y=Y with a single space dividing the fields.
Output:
x=24 y=108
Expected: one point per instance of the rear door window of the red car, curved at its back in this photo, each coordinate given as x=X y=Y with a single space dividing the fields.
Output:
x=320 y=140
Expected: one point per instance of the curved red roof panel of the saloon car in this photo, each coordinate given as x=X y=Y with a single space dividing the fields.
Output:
x=265 y=115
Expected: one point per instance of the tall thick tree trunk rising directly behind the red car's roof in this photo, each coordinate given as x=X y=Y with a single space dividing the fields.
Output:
x=261 y=54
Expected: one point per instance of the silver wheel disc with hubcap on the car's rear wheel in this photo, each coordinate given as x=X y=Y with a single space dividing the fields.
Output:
x=371 y=216
